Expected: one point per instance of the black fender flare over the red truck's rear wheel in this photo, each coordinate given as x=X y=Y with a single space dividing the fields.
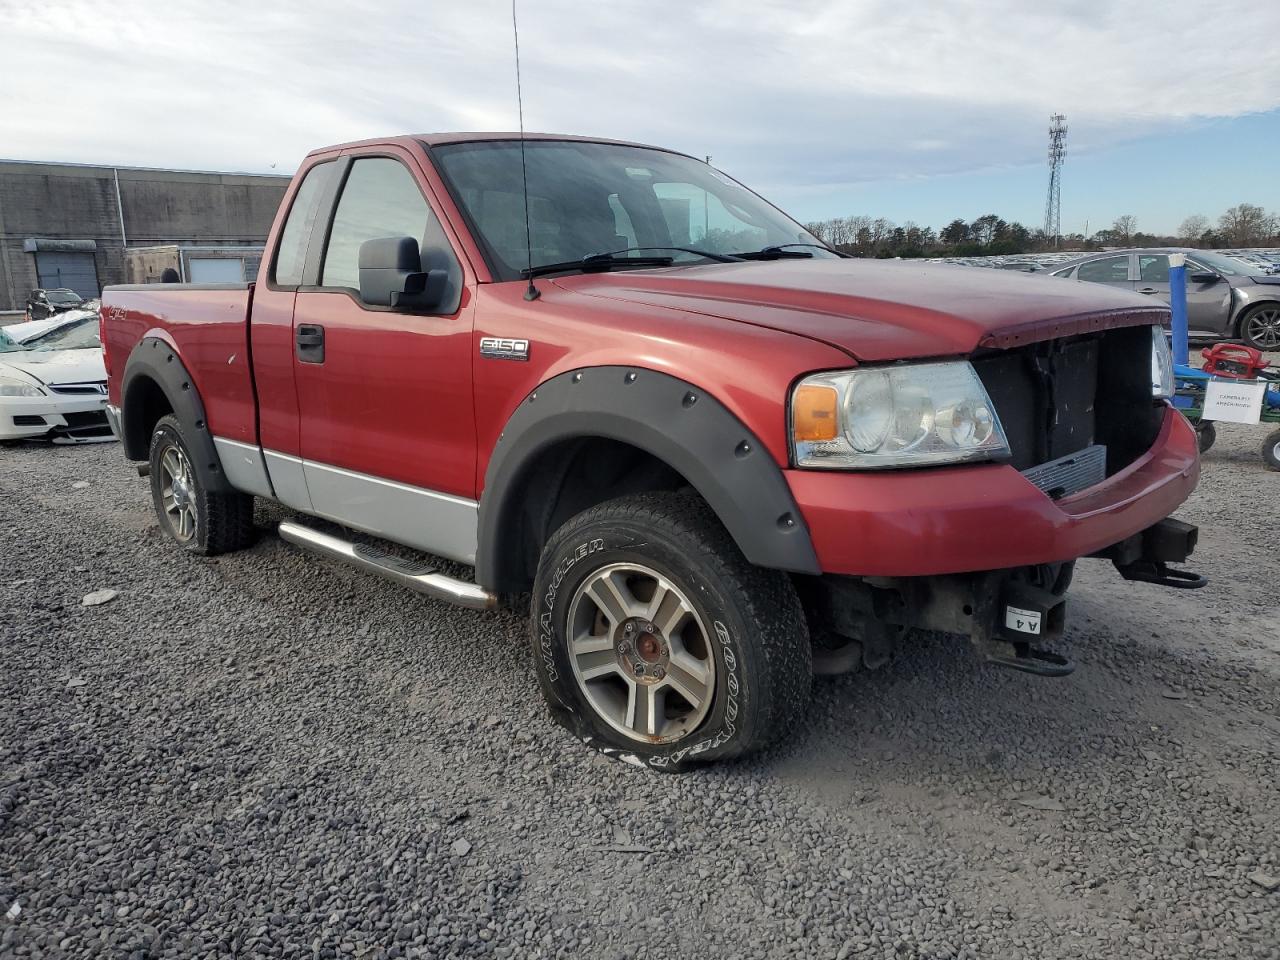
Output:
x=153 y=359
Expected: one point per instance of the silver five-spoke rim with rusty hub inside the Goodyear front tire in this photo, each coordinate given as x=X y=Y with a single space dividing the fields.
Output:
x=641 y=653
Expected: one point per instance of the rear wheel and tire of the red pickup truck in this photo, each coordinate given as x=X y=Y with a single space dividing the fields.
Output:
x=195 y=518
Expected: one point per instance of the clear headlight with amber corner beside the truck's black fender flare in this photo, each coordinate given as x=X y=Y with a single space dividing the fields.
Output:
x=912 y=415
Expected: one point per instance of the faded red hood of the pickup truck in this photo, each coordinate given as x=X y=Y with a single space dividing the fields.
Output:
x=879 y=310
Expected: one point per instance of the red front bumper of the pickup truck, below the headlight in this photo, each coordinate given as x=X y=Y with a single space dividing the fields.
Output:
x=967 y=519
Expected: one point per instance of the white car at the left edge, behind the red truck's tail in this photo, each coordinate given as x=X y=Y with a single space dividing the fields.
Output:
x=53 y=381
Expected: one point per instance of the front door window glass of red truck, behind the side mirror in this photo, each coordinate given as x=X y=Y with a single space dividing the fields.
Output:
x=381 y=199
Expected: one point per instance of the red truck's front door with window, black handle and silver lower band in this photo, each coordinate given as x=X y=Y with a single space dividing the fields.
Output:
x=387 y=428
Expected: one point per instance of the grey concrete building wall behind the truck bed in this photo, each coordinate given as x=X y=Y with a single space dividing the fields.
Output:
x=79 y=203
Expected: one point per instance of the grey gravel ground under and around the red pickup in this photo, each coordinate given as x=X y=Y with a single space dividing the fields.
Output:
x=269 y=756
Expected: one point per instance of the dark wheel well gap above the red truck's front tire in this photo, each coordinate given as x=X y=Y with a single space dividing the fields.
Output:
x=565 y=481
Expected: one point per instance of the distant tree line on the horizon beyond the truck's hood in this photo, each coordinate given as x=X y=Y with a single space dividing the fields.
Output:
x=1244 y=226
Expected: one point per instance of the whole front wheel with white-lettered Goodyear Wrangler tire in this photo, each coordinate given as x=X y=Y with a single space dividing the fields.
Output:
x=657 y=643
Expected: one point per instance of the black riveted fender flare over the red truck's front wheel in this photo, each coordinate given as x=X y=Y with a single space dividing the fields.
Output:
x=680 y=424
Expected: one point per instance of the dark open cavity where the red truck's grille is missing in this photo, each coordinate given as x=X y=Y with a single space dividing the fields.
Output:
x=1062 y=397
